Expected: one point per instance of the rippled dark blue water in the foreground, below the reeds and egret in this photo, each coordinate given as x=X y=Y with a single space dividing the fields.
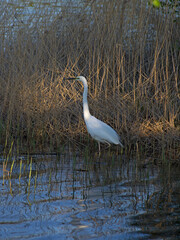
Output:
x=76 y=197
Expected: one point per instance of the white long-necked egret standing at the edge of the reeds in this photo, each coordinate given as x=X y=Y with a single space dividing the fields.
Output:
x=98 y=130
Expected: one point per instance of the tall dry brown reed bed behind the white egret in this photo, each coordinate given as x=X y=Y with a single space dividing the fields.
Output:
x=127 y=50
